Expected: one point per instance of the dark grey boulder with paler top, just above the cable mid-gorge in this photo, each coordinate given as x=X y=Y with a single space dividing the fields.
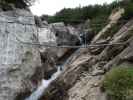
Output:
x=66 y=35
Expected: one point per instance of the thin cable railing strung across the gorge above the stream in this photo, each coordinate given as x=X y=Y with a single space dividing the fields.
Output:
x=47 y=44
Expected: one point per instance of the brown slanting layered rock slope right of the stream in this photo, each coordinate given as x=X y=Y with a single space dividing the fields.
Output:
x=84 y=71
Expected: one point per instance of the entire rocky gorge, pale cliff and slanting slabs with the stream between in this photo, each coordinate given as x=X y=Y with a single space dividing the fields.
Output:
x=34 y=67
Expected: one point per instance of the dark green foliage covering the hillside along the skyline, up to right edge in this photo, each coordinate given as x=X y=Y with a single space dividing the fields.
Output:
x=98 y=14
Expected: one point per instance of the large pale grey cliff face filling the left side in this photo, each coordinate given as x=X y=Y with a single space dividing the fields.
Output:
x=18 y=60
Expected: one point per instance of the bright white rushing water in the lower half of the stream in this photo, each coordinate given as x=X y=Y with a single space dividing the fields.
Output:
x=44 y=84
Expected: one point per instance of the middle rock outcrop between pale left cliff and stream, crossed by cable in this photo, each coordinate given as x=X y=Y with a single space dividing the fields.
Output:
x=56 y=34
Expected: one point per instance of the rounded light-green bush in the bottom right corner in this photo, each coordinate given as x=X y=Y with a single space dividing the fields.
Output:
x=118 y=83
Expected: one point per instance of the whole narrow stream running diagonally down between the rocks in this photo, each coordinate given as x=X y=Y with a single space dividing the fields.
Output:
x=45 y=83
